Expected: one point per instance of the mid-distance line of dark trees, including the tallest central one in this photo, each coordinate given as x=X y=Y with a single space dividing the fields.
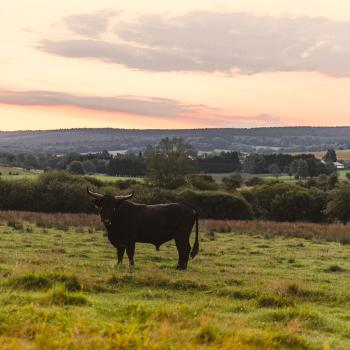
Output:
x=170 y=153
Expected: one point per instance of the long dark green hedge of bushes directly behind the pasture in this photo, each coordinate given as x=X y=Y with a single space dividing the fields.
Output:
x=322 y=200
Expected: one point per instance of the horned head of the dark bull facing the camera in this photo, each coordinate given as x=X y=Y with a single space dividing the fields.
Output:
x=107 y=205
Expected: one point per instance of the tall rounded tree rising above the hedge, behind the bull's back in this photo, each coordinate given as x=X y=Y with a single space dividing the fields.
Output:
x=168 y=163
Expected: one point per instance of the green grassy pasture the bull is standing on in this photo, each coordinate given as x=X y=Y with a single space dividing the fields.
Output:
x=248 y=289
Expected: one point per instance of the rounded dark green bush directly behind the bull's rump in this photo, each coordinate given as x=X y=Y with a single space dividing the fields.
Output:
x=217 y=205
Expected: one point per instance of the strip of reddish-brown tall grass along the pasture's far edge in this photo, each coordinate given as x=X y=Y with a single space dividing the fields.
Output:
x=268 y=229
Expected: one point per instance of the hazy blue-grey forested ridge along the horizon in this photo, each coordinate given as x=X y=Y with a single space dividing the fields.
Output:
x=257 y=140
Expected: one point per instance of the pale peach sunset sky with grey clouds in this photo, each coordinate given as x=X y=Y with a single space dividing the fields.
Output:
x=165 y=64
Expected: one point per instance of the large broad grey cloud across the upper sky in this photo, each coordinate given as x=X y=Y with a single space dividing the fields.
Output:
x=242 y=43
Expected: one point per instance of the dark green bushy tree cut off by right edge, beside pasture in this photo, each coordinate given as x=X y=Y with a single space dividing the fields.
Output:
x=339 y=205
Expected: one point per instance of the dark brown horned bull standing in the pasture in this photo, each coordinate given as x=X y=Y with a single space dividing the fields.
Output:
x=127 y=223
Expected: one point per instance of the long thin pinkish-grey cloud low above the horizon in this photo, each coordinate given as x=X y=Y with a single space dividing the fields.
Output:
x=140 y=106
